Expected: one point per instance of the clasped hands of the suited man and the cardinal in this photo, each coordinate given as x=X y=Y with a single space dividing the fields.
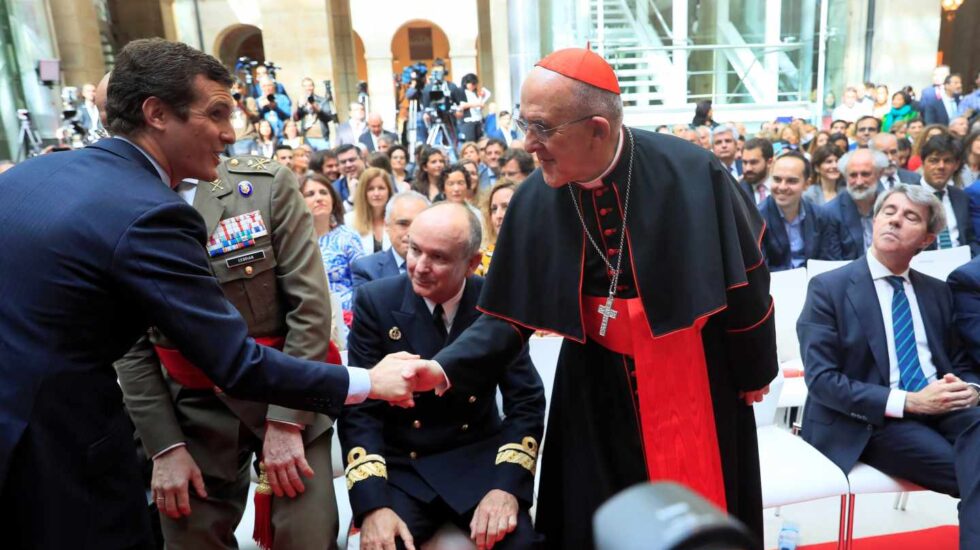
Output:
x=399 y=375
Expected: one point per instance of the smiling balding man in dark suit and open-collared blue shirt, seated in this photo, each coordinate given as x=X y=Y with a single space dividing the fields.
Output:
x=795 y=230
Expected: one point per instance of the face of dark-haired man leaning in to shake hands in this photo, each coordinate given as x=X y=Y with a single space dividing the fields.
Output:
x=191 y=147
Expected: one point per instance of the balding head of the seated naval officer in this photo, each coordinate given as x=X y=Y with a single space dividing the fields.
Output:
x=437 y=261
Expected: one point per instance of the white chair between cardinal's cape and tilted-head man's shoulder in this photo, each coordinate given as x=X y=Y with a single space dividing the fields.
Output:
x=788 y=289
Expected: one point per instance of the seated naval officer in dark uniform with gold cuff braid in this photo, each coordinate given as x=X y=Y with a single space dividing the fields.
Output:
x=450 y=458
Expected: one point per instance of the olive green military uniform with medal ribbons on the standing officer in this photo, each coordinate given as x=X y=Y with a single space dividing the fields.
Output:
x=277 y=283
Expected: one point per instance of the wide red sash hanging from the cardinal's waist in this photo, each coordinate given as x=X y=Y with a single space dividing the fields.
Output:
x=676 y=413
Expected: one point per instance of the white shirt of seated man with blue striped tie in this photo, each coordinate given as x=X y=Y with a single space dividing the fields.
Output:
x=895 y=406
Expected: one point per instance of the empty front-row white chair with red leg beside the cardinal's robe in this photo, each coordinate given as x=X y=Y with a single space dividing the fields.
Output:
x=792 y=471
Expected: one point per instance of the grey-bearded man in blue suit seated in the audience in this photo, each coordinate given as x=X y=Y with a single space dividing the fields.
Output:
x=850 y=213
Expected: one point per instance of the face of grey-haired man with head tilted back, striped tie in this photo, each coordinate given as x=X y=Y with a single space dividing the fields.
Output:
x=901 y=227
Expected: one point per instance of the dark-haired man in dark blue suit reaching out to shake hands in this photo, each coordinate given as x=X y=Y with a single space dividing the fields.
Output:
x=98 y=247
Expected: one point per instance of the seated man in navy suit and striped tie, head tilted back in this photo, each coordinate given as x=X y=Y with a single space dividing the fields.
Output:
x=889 y=383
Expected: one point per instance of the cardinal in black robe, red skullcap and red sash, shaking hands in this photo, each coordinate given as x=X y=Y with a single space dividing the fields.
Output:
x=658 y=371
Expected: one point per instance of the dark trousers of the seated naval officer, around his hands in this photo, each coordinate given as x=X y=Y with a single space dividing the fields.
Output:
x=424 y=519
